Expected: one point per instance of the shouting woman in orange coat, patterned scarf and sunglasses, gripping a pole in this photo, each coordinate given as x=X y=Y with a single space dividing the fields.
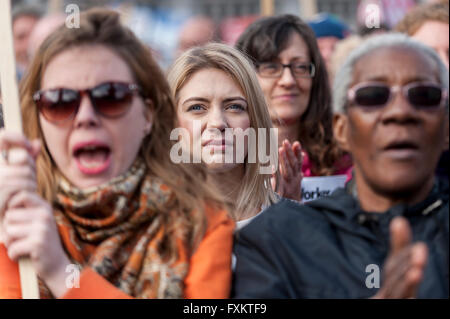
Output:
x=98 y=189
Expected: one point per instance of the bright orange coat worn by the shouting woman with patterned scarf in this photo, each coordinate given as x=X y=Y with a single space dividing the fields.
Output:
x=209 y=271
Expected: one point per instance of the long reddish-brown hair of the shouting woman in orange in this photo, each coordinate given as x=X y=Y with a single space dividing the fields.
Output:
x=102 y=27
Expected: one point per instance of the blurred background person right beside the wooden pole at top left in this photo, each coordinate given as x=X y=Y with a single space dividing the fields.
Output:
x=24 y=19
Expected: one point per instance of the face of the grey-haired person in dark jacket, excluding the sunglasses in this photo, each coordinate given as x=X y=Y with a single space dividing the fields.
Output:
x=396 y=147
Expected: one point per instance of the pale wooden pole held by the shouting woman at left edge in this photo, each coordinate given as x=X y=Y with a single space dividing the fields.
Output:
x=13 y=122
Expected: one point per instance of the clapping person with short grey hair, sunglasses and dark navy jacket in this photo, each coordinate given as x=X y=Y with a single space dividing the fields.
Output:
x=386 y=234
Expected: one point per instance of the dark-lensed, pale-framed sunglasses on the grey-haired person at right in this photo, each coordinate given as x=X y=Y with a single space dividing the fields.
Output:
x=376 y=94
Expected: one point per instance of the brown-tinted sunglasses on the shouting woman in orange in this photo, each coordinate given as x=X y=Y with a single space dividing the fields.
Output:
x=110 y=99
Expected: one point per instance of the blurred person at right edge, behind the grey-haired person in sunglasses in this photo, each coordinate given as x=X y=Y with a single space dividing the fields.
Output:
x=429 y=24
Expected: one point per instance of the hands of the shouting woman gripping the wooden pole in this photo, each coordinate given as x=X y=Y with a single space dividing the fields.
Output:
x=27 y=225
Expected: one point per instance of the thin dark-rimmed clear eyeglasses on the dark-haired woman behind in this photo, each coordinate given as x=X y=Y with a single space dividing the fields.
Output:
x=275 y=69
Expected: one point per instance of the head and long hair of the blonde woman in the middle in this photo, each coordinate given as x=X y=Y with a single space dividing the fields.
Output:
x=215 y=85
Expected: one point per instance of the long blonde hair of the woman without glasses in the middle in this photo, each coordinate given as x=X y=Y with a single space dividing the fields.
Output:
x=255 y=190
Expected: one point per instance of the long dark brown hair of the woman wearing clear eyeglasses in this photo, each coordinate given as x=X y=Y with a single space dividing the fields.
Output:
x=262 y=41
